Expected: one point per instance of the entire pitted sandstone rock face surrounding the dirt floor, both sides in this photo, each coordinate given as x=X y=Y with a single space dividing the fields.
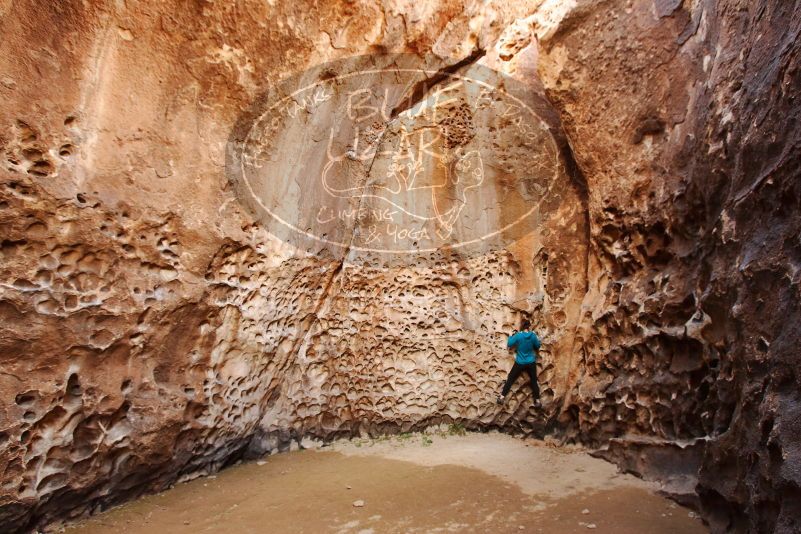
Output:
x=155 y=325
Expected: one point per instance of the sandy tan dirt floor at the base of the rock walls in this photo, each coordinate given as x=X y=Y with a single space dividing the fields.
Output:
x=411 y=483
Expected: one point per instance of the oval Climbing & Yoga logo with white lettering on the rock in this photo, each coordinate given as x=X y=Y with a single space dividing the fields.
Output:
x=390 y=156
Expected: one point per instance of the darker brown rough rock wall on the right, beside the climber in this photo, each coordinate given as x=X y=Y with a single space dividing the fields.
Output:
x=682 y=117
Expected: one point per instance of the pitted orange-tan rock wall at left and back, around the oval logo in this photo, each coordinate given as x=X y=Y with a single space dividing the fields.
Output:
x=152 y=328
